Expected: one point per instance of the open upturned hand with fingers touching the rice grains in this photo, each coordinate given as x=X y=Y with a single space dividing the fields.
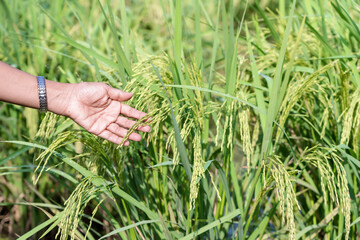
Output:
x=98 y=108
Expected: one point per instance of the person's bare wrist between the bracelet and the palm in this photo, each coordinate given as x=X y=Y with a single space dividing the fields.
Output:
x=58 y=97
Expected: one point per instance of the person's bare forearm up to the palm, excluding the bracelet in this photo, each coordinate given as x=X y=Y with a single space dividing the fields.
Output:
x=20 y=88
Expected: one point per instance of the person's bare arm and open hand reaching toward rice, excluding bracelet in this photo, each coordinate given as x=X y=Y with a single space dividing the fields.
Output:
x=97 y=107
